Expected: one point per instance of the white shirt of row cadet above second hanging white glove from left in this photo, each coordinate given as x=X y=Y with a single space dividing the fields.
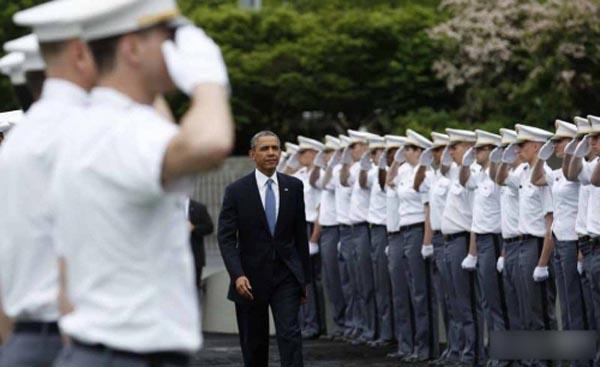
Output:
x=411 y=208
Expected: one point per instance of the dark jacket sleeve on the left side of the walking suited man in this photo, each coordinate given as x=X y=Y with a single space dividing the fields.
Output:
x=227 y=236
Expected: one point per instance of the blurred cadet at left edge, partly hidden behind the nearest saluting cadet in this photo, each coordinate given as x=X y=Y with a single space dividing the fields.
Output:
x=28 y=265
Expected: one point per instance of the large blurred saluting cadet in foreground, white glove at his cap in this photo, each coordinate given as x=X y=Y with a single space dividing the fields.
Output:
x=121 y=184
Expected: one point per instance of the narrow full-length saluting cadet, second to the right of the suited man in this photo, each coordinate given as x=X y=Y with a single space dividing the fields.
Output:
x=330 y=233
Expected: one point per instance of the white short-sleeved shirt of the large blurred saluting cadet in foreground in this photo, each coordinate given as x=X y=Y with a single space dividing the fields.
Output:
x=125 y=240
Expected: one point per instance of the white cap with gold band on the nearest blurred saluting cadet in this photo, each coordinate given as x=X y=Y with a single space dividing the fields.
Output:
x=114 y=17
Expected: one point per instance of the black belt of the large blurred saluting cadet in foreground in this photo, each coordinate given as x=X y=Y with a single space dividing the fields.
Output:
x=154 y=359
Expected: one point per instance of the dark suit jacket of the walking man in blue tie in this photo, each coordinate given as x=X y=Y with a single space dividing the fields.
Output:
x=246 y=243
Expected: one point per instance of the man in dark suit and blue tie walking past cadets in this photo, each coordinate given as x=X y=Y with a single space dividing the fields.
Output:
x=263 y=241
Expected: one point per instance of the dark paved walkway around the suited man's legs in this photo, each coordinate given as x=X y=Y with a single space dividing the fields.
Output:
x=224 y=351
